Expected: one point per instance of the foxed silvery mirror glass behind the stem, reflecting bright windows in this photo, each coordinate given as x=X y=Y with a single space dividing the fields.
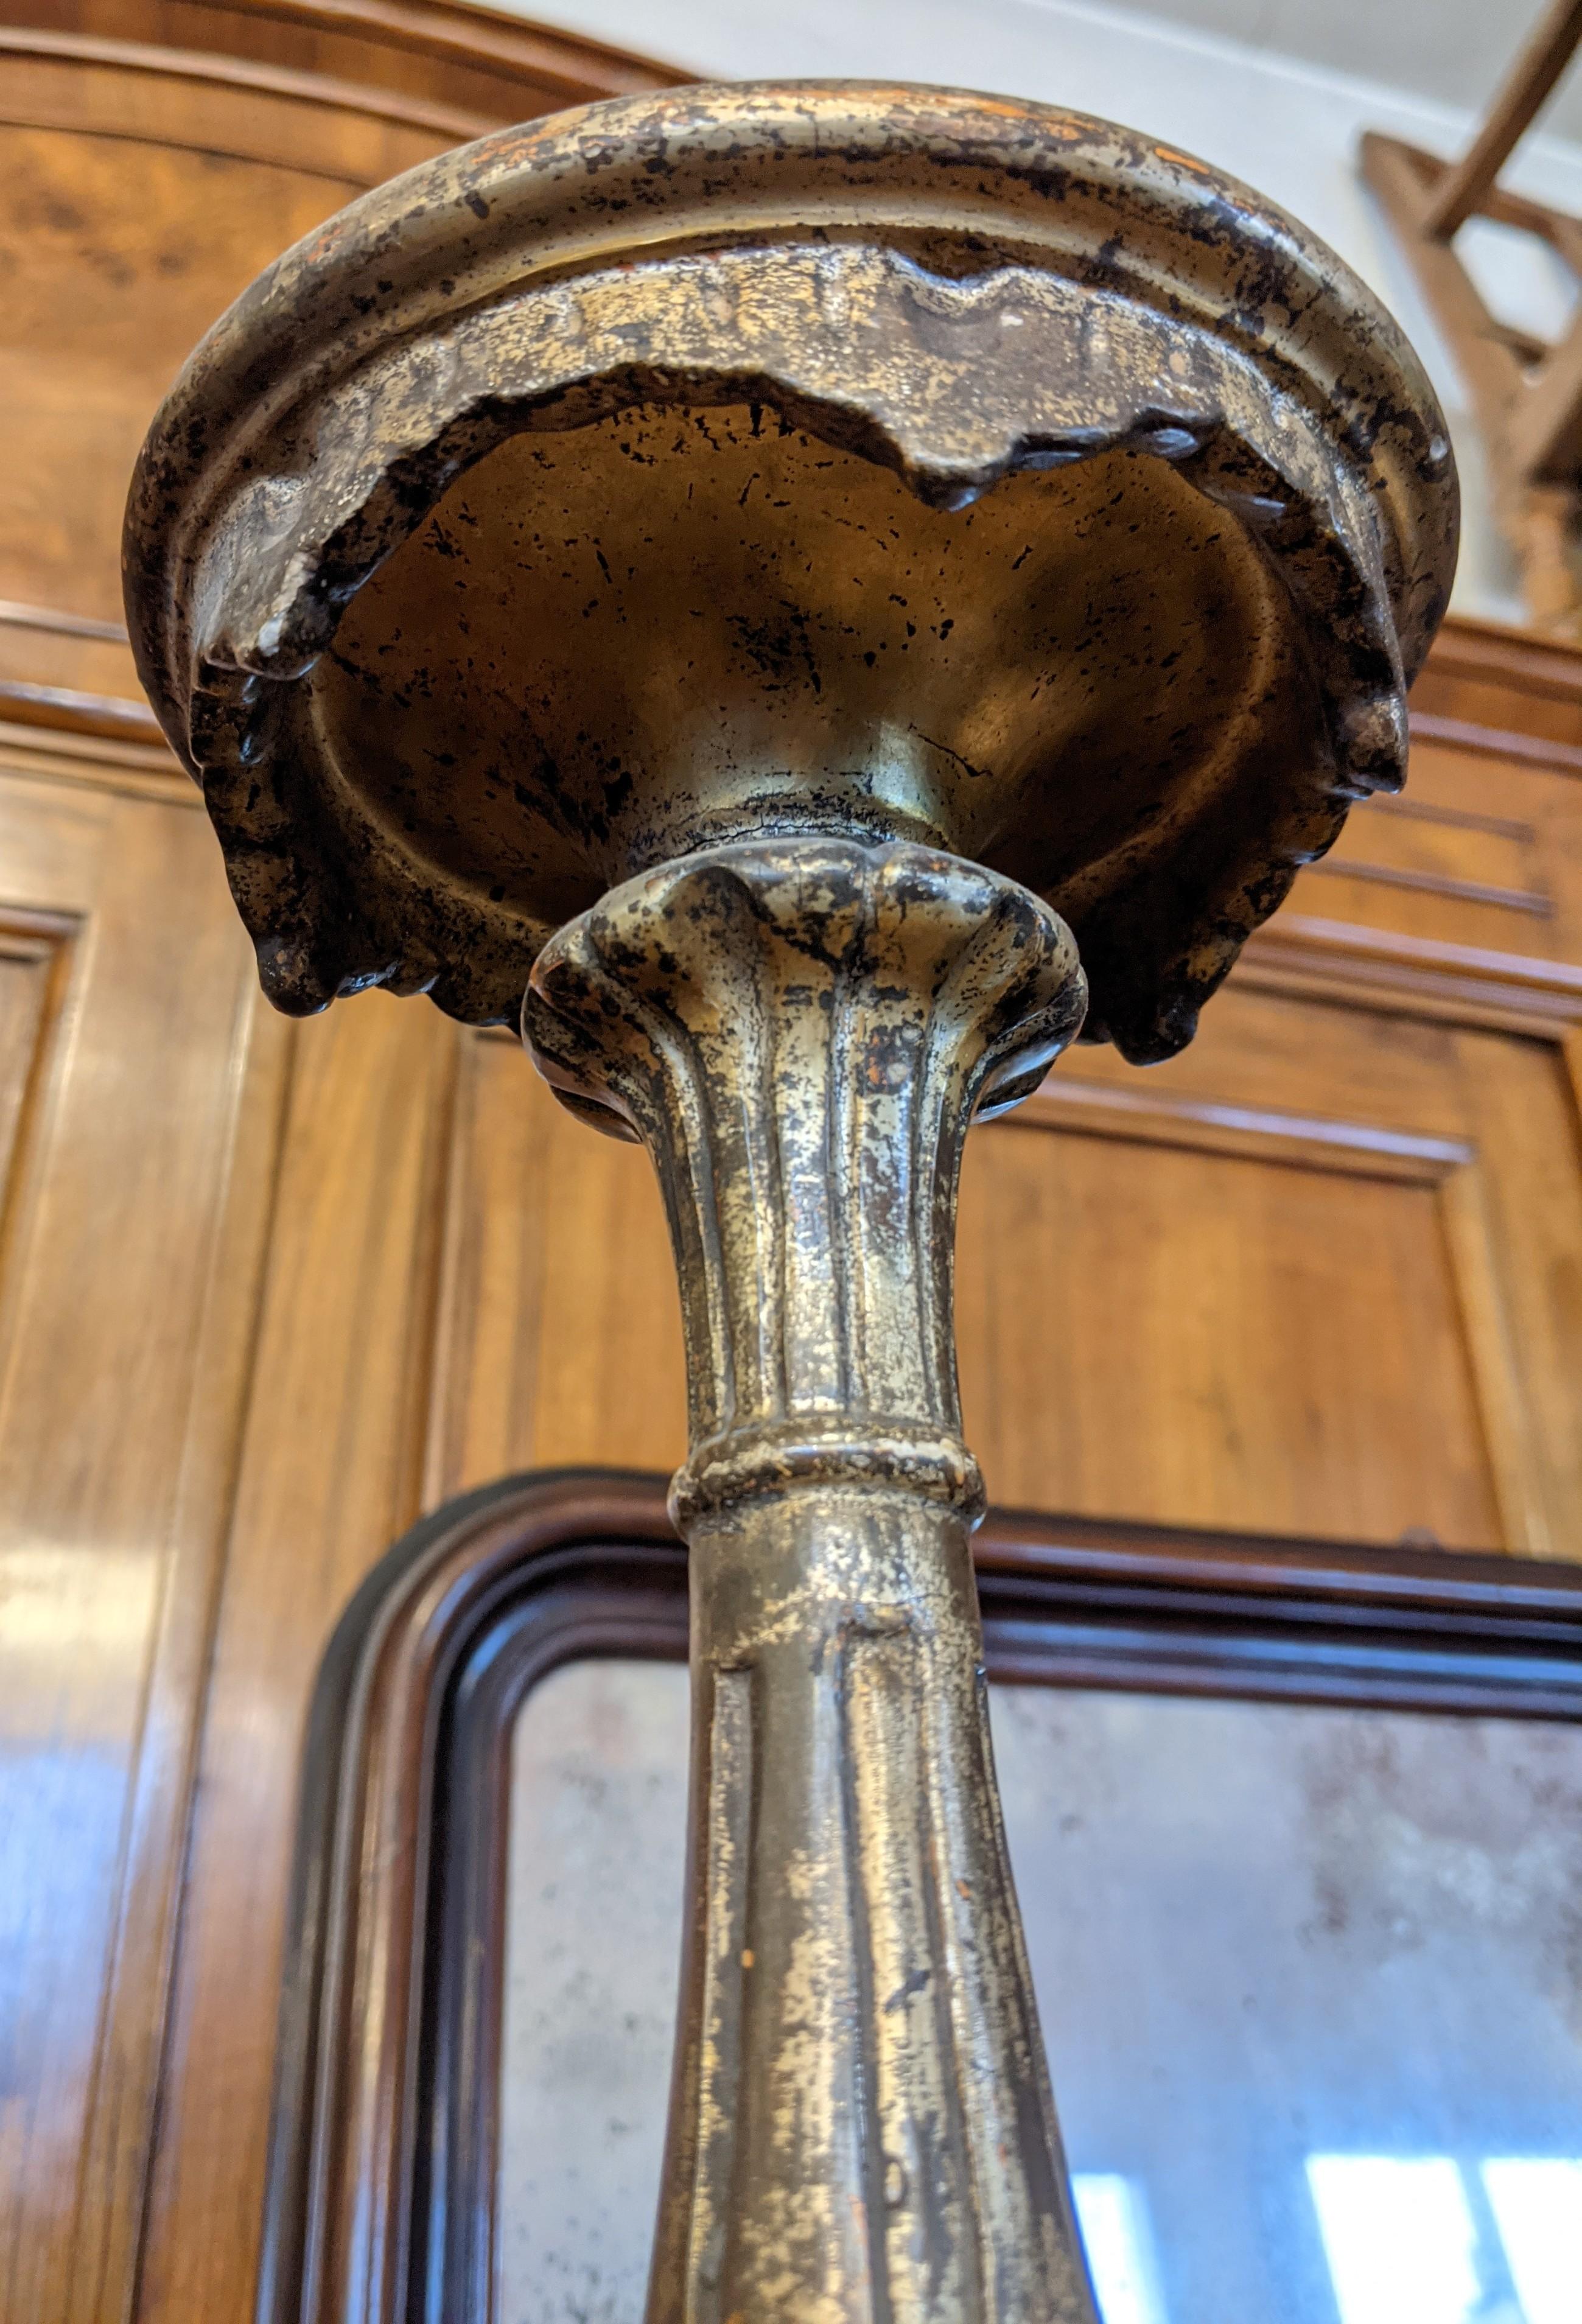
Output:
x=1311 y=1986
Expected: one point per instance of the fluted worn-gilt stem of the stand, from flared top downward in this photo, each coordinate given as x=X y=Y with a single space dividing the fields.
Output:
x=800 y=1031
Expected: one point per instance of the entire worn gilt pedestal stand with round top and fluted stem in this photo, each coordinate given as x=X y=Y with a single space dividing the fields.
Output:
x=805 y=591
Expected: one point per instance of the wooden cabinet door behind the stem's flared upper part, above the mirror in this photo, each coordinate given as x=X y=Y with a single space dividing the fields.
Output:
x=1321 y=1275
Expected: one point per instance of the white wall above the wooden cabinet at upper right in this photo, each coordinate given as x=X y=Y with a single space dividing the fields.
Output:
x=1286 y=127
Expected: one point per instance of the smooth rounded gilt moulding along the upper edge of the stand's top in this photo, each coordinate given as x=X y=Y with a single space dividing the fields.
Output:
x=628 y=178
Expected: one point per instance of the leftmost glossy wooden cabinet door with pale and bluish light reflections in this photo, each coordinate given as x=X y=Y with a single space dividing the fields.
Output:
x=136 y=1103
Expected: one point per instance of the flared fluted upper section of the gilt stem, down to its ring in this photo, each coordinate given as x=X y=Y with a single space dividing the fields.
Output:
x=803 y=1031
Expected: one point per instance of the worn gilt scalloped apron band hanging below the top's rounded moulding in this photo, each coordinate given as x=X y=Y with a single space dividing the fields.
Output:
x=352 y=480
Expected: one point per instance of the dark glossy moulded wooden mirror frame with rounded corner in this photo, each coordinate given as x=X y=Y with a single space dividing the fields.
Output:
x=382 y=2167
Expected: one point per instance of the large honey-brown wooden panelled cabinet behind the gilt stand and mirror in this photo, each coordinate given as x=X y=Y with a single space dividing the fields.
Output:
x=271 y=1291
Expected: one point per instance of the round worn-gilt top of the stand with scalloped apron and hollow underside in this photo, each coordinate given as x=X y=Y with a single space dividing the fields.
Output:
x=837 y=459
